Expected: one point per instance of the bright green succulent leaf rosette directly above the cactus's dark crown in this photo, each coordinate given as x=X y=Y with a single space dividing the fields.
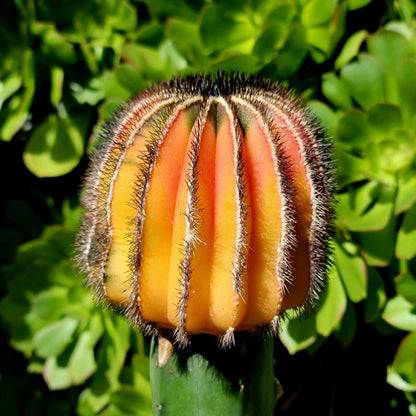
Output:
x=274 y=36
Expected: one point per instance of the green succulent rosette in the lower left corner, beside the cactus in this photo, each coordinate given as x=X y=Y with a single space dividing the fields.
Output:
x=65 y=338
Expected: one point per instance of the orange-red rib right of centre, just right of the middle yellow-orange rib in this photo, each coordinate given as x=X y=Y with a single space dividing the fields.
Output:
x=262 y=168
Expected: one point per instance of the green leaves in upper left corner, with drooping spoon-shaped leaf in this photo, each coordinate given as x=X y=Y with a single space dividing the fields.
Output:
x=49 y=50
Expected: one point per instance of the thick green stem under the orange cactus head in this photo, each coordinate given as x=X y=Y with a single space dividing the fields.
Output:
x=204 y=380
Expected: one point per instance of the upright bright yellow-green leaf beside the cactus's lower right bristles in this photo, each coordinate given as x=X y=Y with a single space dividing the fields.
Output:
x=333 y=306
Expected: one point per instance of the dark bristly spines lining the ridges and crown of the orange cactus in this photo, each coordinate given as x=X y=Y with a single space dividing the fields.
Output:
x=279 y=113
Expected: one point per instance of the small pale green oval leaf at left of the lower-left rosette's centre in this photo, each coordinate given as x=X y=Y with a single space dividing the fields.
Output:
x=53 y=339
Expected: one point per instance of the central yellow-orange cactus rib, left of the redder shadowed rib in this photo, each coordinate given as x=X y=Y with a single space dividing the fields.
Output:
x=228 y=280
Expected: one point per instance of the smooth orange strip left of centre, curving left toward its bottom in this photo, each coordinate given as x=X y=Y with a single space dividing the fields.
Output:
x=160 y=201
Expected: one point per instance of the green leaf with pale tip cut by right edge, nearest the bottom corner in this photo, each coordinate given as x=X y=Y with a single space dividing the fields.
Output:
x=402 y=373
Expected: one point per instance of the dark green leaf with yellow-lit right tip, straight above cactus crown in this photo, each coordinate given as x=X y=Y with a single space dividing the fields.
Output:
x=220 y=29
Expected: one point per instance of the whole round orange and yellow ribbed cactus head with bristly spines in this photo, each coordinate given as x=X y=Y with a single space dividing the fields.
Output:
x=208 y=206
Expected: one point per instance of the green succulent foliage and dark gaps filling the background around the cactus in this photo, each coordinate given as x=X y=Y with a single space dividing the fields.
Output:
x=65 y=65
